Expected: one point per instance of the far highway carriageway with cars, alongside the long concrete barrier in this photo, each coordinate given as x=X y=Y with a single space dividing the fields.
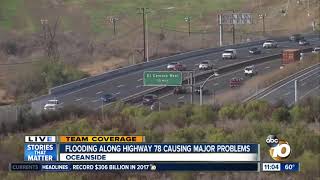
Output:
x=132 y=83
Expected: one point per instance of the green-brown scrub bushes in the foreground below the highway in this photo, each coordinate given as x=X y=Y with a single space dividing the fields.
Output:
x=234 y=123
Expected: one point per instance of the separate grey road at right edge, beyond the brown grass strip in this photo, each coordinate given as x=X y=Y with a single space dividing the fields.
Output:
x=308 y=83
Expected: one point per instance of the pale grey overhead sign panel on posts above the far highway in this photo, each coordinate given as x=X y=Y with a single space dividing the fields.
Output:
x=236 y=18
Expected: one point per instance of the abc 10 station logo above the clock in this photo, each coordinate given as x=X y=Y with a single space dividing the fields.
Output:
x=279 y=149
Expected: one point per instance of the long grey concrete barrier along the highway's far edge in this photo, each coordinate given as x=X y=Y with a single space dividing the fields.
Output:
x=79 y=84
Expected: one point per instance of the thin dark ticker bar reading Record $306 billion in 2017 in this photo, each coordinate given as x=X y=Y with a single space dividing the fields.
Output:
x=67 y=167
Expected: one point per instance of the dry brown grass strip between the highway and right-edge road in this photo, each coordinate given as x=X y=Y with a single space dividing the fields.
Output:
x=253 y=85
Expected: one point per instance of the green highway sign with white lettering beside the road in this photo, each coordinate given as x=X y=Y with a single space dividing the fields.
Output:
x=162 y=78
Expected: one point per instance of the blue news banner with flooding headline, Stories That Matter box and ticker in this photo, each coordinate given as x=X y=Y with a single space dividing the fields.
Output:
x=40 y=155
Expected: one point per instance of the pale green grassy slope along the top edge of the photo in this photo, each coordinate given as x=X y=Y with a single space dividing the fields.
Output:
x=20 y=15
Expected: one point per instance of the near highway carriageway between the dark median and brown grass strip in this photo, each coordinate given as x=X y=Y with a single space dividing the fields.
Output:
x=219 y=84
